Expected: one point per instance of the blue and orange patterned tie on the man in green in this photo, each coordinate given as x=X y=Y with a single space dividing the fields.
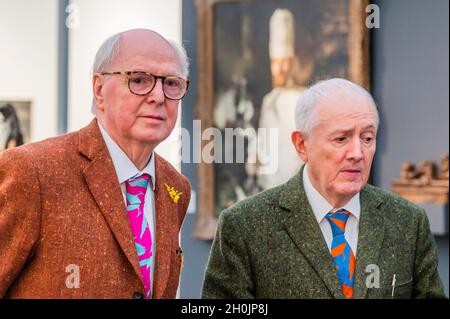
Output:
x=342 y=253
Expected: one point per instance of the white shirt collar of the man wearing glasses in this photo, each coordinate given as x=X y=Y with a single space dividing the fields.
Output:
x=125 y=169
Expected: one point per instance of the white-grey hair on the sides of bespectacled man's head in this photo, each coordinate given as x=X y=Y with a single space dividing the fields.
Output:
x=109 y=50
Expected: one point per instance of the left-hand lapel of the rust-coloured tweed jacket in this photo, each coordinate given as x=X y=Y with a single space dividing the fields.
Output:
x=102 y=182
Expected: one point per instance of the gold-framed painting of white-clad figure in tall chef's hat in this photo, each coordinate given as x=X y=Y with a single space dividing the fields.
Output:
x=255 y=58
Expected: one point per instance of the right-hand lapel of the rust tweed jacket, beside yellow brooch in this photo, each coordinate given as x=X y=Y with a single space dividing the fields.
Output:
x=164 y=209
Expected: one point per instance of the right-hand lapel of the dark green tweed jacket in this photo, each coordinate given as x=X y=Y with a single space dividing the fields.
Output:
x=370 y=239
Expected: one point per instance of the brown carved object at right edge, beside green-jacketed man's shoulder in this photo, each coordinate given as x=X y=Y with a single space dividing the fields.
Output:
x=426 y=185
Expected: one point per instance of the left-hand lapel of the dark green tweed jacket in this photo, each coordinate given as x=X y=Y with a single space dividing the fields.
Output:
x=304 y=230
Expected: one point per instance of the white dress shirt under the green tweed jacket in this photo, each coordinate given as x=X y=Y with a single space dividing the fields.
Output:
x=321 y=208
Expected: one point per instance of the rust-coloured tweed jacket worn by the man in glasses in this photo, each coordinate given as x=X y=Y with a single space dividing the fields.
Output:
x=61 y=205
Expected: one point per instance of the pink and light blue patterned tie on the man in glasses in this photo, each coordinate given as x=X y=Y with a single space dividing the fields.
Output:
x=136 y=188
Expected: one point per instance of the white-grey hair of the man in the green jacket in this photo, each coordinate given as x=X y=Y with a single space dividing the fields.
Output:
x=306 y=115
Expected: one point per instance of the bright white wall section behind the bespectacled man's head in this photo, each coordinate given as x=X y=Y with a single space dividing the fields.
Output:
x=91 y=22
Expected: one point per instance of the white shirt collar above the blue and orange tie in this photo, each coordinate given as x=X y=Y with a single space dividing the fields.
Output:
x=320 y=205
